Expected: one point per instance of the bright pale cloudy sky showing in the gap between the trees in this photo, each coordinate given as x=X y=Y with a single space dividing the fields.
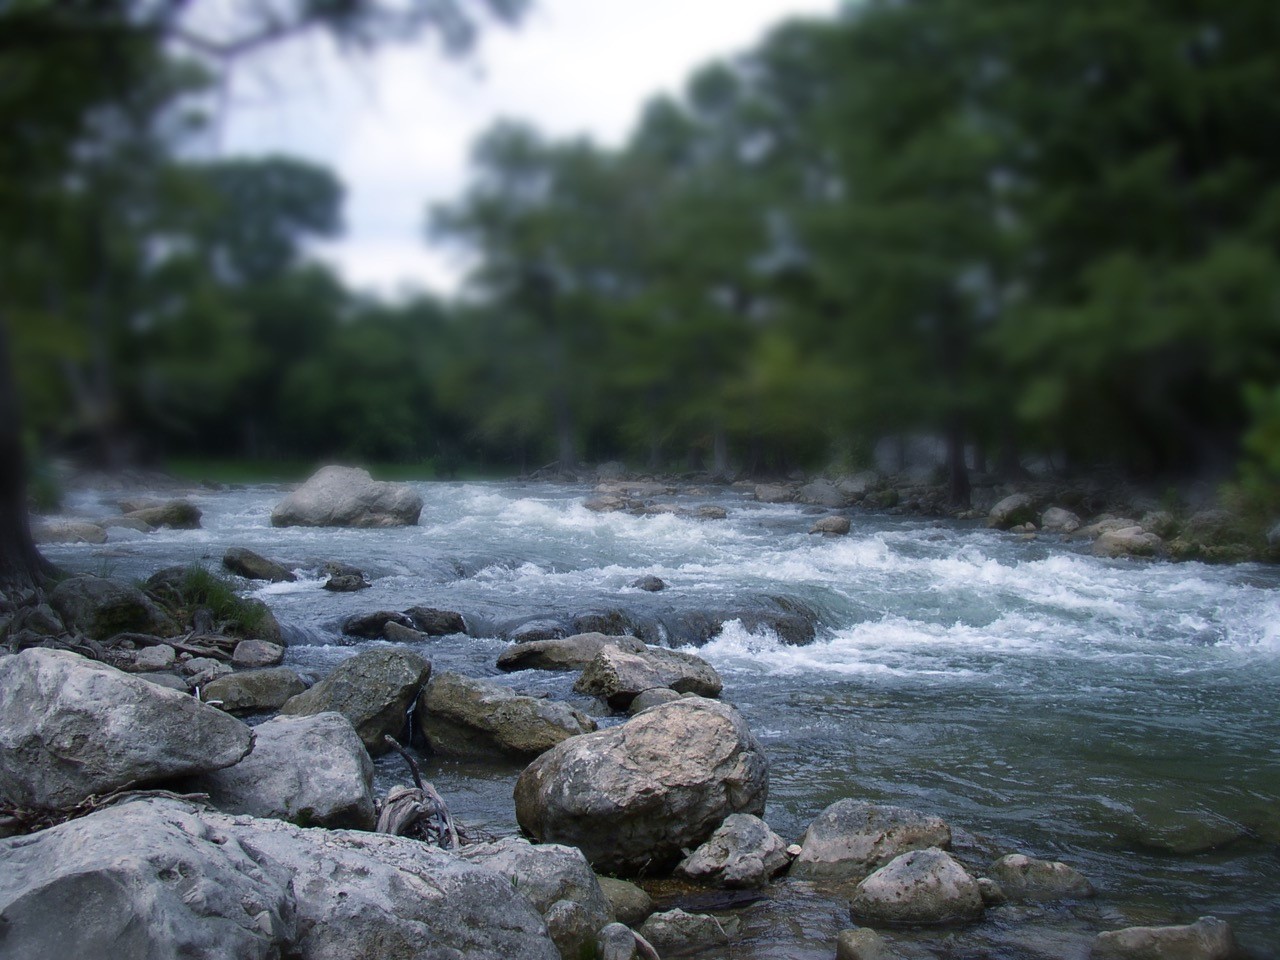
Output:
x=397 y=126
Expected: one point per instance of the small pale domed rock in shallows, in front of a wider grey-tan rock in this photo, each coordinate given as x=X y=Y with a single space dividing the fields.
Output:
x=924 y=886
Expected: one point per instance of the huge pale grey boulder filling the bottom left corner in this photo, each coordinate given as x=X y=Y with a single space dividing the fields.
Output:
x=162 y=879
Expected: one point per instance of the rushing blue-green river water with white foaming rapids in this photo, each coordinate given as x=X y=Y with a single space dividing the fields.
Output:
x=1121 y=716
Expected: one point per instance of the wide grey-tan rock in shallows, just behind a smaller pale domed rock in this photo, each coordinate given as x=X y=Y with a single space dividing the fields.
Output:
x=852 y=839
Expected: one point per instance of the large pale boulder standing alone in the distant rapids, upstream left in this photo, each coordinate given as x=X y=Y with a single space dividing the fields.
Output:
x=349 y=497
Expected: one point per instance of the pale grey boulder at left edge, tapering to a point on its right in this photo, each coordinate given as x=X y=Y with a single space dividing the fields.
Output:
x=72 y=729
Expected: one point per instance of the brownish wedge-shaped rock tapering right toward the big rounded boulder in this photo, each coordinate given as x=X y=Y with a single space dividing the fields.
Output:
x=469 y=717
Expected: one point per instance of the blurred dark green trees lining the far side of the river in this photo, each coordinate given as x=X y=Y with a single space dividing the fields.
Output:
x=1028 y=228
